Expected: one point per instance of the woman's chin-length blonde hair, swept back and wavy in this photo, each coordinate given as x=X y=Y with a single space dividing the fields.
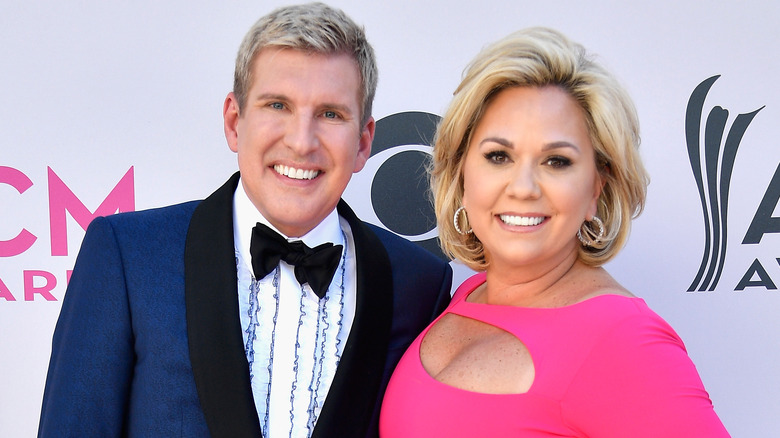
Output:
x=539 y=57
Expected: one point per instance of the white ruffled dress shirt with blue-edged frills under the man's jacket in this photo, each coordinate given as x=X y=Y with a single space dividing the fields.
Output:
x=293 y=340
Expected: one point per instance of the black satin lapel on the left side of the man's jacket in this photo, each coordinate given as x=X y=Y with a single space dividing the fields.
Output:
x=213 y=325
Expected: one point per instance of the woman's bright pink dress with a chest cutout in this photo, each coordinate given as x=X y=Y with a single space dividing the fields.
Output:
x=605 y=367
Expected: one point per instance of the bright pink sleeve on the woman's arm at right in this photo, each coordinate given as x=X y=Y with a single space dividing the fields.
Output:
x=638 y=380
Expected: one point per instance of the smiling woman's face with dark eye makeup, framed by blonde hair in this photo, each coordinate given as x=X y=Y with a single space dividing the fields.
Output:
x=530 y=178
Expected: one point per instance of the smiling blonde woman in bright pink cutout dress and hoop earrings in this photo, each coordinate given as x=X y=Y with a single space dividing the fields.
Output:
x=536 y=178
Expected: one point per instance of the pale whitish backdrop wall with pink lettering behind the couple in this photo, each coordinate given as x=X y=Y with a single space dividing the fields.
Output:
x=95 y=91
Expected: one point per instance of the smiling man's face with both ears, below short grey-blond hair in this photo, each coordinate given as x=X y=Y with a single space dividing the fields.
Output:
x=299 y=138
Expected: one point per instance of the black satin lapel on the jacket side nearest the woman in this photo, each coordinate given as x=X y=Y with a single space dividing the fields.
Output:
x=349 y=406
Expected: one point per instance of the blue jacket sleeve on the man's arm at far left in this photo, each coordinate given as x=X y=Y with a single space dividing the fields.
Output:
x=92 y=350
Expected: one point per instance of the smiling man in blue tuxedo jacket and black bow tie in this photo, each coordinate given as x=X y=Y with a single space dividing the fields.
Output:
x=198 y=320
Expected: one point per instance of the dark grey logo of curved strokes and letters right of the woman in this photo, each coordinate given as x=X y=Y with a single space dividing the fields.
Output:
x=712 y=162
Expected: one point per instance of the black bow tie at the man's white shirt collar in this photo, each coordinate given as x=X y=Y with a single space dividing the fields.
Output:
x=315 y=266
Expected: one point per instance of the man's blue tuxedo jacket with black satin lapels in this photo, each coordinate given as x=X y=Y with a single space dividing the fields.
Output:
x=149 y=344
